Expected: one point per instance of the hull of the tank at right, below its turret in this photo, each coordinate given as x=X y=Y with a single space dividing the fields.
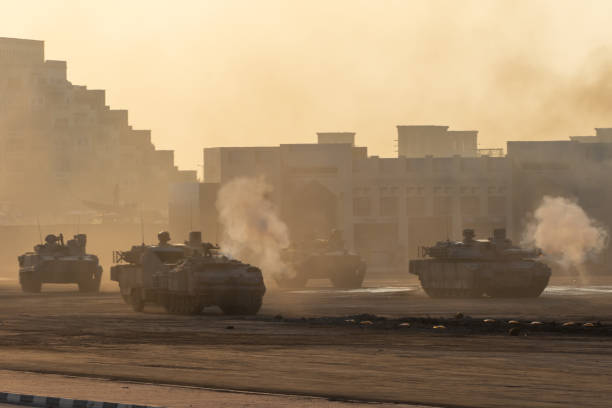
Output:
x=510 y=279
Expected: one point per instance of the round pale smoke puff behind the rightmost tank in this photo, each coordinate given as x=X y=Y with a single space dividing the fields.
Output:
x=565 y=233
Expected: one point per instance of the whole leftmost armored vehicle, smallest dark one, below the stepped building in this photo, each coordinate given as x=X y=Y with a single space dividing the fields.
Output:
x=56 y=262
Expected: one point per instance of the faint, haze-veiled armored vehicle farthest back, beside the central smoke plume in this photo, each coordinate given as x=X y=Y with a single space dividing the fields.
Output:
x=322 y=259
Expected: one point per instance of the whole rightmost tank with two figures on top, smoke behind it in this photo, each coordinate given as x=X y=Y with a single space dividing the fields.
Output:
x=473 y=268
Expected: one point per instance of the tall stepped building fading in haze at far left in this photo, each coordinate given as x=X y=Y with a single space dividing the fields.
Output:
x=62 y=147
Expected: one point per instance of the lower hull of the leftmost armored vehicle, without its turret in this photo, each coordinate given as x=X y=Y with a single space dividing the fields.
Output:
x=37 y=270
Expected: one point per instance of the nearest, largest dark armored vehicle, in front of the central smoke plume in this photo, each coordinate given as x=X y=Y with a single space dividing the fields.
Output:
x=186 y=278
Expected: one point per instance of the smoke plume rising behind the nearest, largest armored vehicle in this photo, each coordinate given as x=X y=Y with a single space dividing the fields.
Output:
x=252 y=229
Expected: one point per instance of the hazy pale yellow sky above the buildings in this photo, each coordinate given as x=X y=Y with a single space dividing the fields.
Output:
x=209 y=73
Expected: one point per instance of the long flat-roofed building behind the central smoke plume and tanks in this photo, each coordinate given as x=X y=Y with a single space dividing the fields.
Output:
x=384 y=206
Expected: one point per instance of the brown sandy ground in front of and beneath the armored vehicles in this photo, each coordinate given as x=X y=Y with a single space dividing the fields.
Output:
x=301 y=344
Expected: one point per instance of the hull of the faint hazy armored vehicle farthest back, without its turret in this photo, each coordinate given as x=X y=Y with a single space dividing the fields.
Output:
x=343 y=270
